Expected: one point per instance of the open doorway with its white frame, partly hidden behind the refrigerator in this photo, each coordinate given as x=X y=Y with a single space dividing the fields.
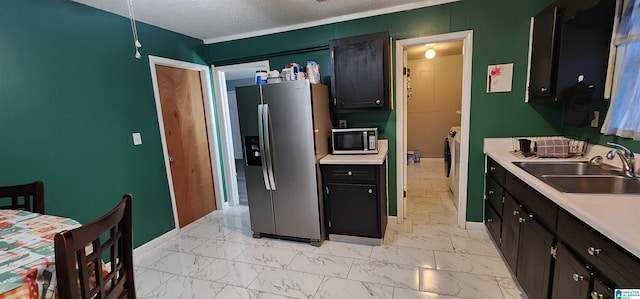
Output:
x=226 y=78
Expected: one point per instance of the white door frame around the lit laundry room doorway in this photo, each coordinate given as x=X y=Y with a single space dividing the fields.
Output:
x=401 y=118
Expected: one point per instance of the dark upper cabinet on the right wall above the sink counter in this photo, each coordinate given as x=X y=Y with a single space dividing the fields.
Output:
x=571 y=39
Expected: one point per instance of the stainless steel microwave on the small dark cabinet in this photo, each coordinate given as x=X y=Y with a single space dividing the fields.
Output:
x=354 y=141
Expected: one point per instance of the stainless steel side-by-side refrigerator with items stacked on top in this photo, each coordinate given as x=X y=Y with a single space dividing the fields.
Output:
x=285 y=129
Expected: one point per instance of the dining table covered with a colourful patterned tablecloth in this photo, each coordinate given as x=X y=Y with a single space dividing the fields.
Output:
x=27 y=253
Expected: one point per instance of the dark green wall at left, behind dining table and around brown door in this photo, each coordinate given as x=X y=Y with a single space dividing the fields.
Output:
x=71 y=94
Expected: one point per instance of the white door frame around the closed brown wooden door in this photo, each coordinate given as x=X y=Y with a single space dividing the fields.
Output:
x=212 y=135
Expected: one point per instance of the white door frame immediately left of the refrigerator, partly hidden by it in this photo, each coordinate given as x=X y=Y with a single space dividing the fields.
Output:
x=224 y=123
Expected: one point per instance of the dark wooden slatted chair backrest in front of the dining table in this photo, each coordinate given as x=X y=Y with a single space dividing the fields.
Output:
x=80 y=252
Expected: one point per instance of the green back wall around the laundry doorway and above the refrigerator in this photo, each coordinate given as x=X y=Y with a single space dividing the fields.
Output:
x=501 y=33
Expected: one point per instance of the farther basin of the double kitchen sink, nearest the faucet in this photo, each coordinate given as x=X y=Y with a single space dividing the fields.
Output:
x=561 y=168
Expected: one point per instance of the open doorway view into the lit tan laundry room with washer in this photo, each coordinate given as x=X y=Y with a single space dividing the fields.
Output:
x=434 y=105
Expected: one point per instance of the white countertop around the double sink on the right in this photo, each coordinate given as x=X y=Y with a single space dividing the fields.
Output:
x=613 y=215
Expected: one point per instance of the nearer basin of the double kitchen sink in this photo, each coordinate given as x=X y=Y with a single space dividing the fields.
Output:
x=592 y=183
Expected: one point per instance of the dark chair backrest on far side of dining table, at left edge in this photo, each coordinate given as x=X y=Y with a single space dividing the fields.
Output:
x=28 y=197
